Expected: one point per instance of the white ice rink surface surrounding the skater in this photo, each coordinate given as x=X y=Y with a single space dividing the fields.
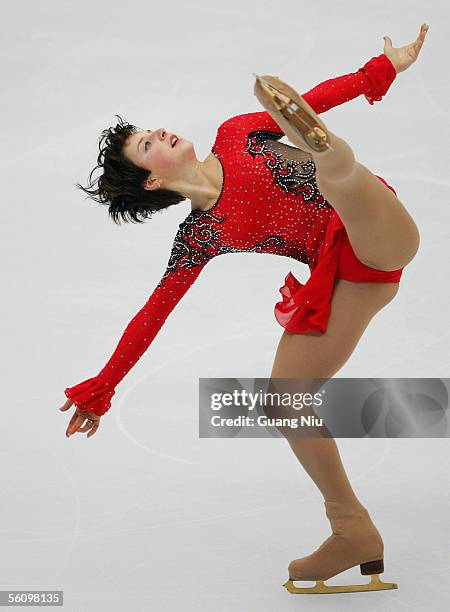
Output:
x=145 y=515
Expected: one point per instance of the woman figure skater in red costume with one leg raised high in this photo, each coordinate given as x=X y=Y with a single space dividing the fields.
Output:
x=312 y=202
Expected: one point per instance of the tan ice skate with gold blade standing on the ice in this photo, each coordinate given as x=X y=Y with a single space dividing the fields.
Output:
x=355 y=541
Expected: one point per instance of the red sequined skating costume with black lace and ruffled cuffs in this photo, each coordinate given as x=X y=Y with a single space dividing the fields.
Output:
x=269 y=203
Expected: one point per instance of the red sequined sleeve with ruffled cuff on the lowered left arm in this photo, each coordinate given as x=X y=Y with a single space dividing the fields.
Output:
x=94 y=394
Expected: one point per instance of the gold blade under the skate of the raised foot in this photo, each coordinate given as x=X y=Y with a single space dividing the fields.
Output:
x=299 y=118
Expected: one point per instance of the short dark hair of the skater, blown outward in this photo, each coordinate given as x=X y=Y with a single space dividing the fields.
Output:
x=121 y=184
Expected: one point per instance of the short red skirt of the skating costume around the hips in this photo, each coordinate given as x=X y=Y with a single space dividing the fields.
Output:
x=306 y=307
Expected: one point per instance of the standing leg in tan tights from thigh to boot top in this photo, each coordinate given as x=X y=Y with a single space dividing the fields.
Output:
x=312 y=356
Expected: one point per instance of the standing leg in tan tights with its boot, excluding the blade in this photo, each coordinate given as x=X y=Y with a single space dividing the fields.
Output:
x=355 y=539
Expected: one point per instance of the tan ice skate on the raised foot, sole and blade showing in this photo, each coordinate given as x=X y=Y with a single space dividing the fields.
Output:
x=296 y=110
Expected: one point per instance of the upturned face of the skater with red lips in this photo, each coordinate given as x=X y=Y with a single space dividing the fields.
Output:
x=153 y=151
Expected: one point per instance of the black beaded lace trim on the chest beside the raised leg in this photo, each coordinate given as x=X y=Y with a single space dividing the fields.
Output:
x=285 y=172
